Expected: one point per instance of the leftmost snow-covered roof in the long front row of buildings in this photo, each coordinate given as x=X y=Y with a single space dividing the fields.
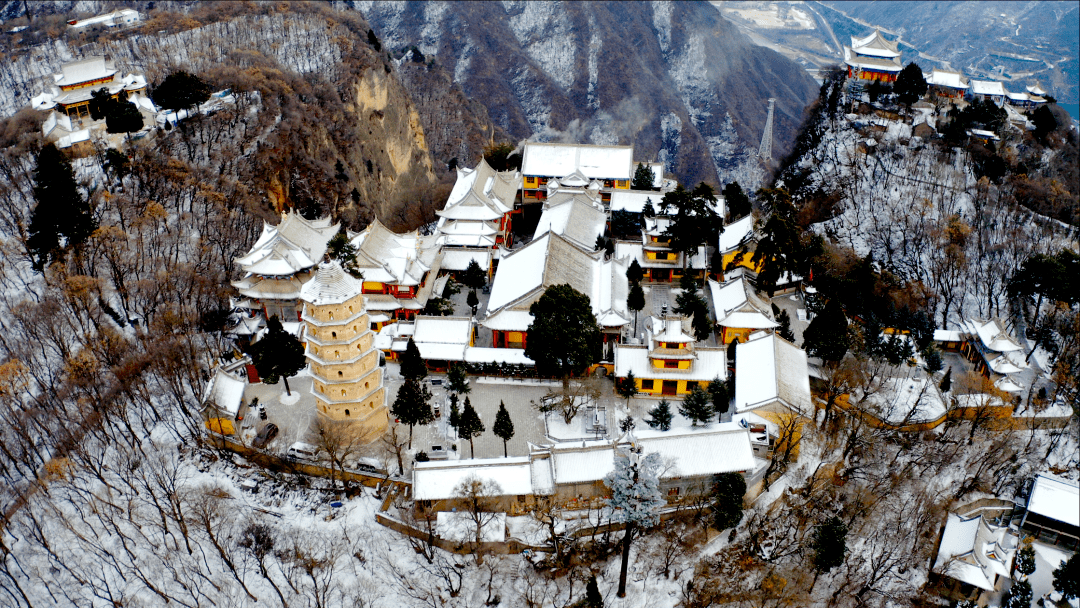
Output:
x=438 y=481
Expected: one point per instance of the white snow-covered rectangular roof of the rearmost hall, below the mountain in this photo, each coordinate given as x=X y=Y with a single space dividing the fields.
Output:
x=595 y=163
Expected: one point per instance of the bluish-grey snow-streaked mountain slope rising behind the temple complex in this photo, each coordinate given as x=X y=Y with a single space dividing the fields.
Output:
x=673 y=78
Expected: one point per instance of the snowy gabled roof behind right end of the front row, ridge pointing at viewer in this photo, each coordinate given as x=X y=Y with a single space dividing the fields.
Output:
x=771 y=370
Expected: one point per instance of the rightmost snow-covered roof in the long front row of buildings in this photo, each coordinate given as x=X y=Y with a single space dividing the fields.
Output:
x=720 y=449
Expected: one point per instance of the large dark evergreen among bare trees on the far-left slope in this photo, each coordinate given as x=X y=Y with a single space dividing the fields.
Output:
x=62 y=210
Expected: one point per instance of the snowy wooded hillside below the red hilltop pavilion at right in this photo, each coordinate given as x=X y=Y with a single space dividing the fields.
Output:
x=923 y=209
